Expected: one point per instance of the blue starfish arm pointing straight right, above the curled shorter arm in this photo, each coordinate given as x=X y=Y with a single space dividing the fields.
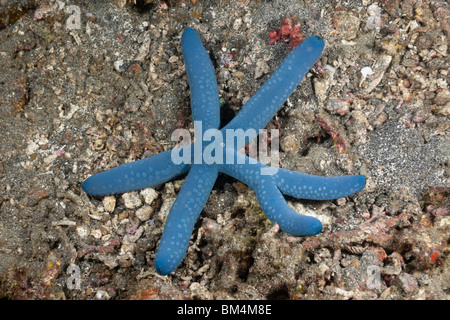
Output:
x=306 y=186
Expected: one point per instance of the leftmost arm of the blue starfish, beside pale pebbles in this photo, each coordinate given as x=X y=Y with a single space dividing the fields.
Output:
x=134 y=175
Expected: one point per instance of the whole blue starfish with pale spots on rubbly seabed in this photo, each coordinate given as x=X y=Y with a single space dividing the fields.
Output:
x=202 y=173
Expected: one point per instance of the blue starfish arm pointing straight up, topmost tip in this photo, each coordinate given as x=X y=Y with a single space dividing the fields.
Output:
x=202 y=81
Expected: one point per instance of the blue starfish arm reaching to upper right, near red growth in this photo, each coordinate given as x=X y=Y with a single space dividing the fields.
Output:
x=264 y=104
